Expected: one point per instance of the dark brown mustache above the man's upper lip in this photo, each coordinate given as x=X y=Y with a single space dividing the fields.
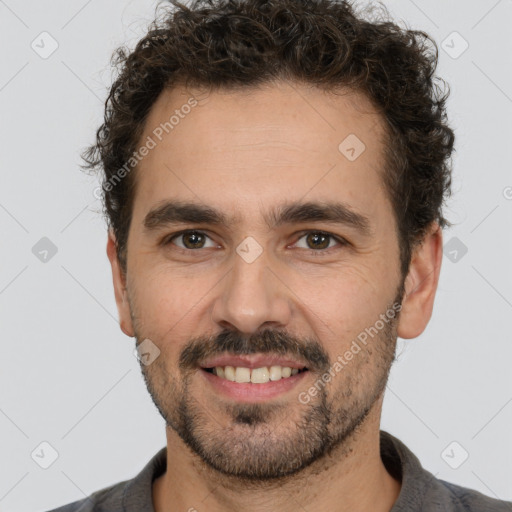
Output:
x=271 y=342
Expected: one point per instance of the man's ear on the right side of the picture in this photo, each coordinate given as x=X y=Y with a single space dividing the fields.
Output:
x=421 y=284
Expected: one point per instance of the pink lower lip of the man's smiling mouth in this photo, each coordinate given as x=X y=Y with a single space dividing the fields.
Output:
x=249 y=392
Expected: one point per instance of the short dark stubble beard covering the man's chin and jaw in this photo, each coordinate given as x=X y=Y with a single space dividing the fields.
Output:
x=260 y=443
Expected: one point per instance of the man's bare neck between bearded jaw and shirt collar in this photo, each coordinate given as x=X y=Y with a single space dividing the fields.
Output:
x=351 y=478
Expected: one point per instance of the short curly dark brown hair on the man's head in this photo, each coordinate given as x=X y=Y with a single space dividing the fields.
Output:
x=234 y=44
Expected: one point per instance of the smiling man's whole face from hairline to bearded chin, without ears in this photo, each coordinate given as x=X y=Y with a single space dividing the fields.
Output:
x=298 y=286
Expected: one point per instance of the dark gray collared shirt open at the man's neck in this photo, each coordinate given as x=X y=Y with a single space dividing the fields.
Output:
x=421 y=491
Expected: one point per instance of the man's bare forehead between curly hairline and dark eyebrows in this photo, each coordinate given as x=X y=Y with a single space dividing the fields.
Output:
x=239 y=150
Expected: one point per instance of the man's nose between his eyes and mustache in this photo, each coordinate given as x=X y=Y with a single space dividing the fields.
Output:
x=252 y=297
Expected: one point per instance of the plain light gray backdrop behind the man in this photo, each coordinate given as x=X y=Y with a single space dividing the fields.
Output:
x=67 y=373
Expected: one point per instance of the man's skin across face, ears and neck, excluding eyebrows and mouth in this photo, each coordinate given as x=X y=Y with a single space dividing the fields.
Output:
x=245 y=153
